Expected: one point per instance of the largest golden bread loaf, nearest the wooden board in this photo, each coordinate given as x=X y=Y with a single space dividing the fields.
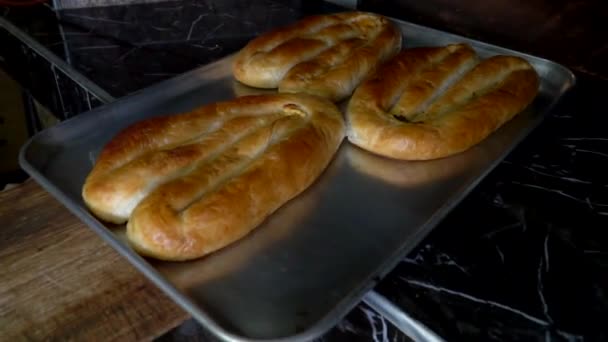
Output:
x=192 y=183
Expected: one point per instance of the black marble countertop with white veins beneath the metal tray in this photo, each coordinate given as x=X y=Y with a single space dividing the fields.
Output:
x=523 y=258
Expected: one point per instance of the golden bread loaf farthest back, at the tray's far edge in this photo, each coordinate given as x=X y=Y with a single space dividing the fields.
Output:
x=323 y=55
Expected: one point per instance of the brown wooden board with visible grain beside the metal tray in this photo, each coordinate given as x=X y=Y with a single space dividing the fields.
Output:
x=60 y=281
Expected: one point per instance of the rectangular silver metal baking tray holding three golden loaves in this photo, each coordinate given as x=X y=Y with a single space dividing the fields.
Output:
x=313 y=260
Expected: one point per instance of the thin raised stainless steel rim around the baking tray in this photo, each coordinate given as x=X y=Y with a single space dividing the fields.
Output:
x=341 y=307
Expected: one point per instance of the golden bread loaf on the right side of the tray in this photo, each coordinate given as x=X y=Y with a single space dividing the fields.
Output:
x=433 y=102
